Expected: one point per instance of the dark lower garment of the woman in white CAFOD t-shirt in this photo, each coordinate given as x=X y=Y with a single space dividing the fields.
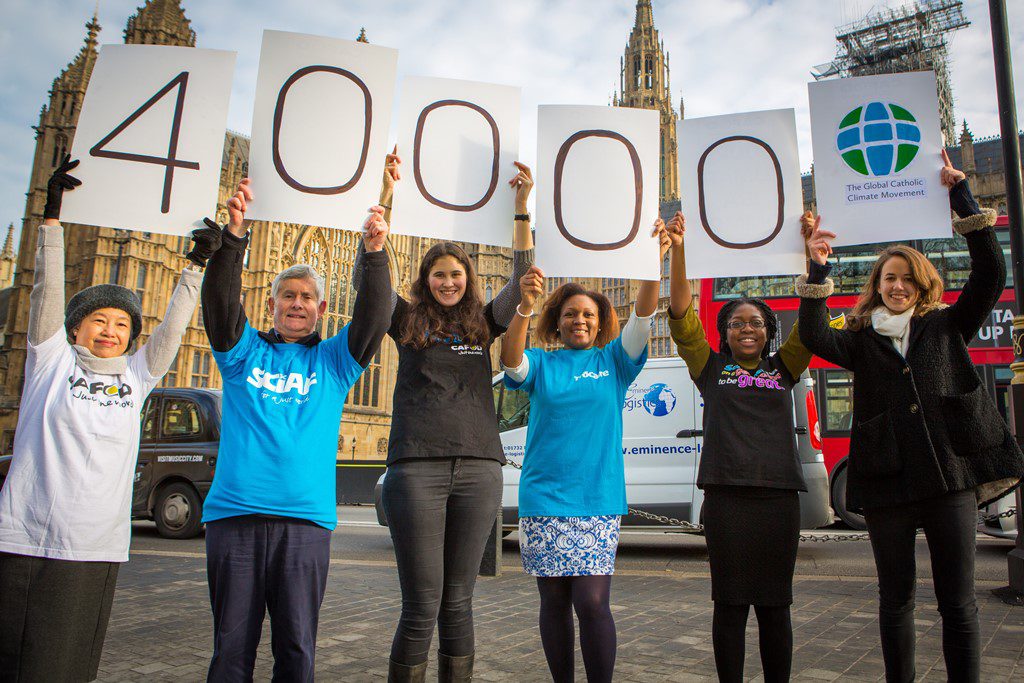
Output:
x=54 y=617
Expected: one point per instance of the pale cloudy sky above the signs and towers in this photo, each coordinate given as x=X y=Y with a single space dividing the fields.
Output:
x=727 y=56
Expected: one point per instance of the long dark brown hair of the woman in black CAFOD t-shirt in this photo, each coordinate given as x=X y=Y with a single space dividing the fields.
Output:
x=429 y=321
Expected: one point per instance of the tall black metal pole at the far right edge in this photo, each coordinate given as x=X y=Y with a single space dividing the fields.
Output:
x=1014 y=593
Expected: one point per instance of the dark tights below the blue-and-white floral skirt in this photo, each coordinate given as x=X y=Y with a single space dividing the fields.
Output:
x=589 y=596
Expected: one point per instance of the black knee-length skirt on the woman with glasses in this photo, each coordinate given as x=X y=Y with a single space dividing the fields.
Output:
x=753 y=535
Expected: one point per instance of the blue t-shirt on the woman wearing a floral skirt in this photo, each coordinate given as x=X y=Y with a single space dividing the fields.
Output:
x=574 y=462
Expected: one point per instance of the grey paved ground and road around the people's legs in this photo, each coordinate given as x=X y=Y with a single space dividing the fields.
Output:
x=161 y=627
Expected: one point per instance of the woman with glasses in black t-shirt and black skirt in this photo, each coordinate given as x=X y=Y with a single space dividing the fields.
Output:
x=750 y=472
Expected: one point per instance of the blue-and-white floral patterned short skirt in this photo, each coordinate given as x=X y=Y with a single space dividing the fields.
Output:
x=569 y=546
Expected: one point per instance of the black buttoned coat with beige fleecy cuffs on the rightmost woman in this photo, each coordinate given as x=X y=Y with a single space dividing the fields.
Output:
x=924 y=425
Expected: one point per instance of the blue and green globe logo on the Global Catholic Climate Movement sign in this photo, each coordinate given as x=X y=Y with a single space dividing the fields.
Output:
x=879 y=139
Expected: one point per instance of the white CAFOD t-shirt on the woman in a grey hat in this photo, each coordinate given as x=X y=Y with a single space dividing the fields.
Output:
x=69 y=492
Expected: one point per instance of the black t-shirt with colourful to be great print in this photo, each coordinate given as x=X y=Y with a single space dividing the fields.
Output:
x=749 y=430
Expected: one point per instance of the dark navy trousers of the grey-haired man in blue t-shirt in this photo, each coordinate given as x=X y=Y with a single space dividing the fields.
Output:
x=255 y=566
